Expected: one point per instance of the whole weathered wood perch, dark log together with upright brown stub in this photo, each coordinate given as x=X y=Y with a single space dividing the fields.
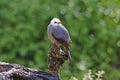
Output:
x=56 y=57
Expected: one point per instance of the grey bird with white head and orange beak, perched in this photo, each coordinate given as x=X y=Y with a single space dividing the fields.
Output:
x=59 y=36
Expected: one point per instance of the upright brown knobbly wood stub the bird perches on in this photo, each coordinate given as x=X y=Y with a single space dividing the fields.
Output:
x=56 y=57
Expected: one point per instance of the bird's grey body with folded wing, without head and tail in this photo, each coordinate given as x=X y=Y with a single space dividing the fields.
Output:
x=59 y=35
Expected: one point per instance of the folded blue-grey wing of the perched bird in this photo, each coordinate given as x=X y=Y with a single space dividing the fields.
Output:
x=61 y=35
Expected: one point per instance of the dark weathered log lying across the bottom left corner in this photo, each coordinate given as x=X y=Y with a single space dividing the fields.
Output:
x=16 y=72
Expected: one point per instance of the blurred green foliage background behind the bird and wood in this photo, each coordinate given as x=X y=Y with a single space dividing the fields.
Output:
x=94 y=27
